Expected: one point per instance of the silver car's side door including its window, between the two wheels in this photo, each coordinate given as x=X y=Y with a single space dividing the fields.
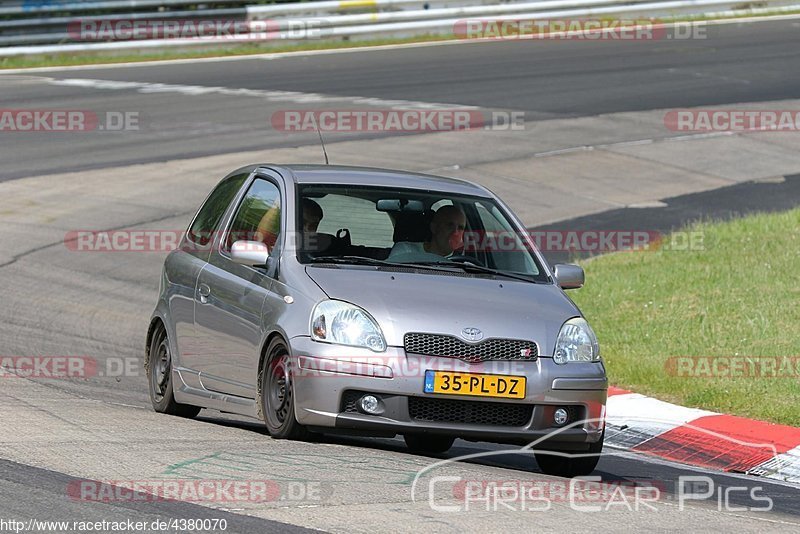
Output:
x=230 y=296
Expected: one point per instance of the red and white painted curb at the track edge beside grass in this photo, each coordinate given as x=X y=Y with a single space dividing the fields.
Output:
x=702 y=438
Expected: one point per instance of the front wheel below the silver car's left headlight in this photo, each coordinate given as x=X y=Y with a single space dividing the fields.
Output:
x=277 y=395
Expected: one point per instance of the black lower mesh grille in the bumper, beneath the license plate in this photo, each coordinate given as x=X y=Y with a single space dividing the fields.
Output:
x=469 y=412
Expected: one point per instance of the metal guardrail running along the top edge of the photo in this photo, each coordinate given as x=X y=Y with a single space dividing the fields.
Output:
x=23 y=26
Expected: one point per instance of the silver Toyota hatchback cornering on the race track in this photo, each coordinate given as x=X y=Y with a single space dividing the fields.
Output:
x=368 y=301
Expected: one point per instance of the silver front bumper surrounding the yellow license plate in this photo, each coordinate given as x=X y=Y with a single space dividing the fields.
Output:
x=328 y=377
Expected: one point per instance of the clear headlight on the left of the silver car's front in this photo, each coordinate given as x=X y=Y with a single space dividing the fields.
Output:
x=334 y=321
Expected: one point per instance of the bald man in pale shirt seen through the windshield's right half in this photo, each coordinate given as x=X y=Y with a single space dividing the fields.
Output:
x=447 y=235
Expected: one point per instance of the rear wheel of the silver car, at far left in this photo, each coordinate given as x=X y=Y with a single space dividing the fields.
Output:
x=159 y=373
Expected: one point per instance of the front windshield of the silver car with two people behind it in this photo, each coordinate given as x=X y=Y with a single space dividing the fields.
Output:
x=405 y=228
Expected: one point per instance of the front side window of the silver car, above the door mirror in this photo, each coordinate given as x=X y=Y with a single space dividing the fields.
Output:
x=258 y=217
